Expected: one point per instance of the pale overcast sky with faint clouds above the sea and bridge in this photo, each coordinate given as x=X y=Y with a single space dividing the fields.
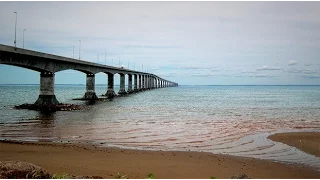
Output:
x=191 y=43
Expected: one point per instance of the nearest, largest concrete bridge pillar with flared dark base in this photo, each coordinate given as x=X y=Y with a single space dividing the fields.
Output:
x=46 y=96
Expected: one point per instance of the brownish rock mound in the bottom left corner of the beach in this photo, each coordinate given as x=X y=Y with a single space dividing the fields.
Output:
x=22 y=170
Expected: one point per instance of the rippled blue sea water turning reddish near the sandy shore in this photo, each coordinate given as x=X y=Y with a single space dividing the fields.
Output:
x=234 y=120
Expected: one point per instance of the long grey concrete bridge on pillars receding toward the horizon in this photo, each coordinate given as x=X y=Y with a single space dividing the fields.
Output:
x=48 y=65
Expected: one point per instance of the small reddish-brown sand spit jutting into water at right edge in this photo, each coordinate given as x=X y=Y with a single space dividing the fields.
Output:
x=308 y=142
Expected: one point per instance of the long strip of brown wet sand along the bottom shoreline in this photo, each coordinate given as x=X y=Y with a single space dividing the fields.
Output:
x=88 y=160
